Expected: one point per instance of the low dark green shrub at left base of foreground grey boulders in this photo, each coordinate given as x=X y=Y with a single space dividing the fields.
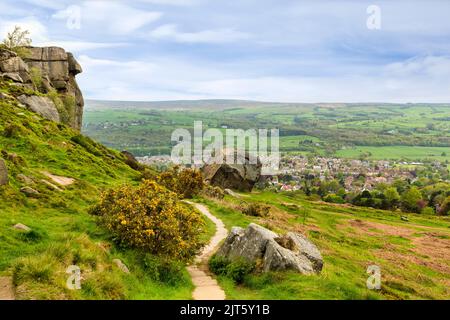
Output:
x=236 y=269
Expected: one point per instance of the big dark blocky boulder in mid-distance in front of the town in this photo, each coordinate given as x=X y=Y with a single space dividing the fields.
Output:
x=241 y=177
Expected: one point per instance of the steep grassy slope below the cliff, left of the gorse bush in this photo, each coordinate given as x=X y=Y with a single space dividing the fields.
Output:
x=62 y=232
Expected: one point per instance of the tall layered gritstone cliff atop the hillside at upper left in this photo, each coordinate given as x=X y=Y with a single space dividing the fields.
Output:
x=58 y=69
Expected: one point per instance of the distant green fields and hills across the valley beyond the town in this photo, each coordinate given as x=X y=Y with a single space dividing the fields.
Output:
x=411 y=132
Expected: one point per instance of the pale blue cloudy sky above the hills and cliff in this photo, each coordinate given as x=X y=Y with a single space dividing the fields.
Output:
x=266 y=50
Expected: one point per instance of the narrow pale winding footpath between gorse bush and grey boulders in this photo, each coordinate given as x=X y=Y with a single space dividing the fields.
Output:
x=206 y=287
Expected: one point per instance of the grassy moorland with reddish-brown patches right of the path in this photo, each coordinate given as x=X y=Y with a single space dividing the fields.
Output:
x=413 y=256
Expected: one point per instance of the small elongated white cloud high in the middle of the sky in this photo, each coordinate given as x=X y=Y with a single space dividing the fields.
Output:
x=225 y=35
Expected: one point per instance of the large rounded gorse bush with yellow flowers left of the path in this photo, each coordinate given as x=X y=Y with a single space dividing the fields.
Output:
x=151 y=218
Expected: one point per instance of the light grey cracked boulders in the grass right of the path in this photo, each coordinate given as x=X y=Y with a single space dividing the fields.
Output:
x=257 y=244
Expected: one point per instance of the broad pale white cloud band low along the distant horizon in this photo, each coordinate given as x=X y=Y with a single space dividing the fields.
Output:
x=166 y=79
